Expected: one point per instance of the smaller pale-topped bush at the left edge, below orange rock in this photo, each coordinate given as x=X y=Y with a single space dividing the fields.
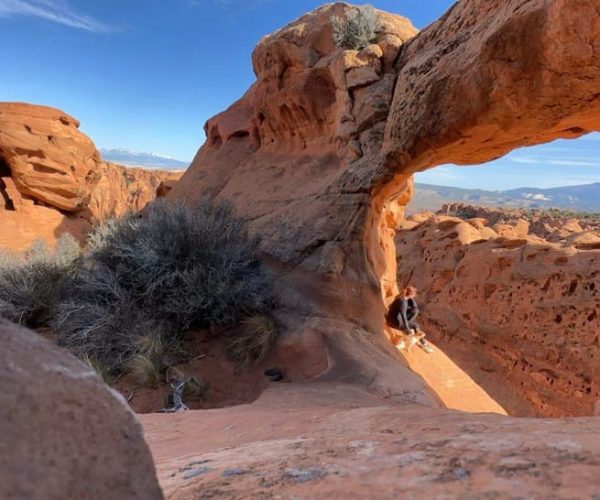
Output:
x=31 y=284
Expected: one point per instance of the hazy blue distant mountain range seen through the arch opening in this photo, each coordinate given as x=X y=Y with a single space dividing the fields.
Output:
x=583 y=198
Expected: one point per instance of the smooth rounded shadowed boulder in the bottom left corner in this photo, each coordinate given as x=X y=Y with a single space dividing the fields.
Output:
x=65 y=434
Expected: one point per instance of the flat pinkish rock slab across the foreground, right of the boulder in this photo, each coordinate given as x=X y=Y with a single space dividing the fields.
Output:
x=337 y=441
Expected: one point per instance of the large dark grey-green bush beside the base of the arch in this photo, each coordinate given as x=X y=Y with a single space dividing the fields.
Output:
x=191 y=265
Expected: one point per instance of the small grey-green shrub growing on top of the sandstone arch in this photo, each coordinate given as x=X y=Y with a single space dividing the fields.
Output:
x=357 y=29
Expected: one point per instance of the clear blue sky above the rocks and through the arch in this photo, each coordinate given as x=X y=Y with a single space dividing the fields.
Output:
x=146 y=74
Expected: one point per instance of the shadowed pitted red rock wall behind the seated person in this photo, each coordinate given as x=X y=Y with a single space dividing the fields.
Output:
x=518 y=313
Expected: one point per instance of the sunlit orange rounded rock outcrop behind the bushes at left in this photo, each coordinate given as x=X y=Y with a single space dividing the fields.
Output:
x=53 y=180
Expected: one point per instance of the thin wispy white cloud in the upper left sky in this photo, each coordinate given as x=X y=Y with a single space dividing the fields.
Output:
x=57 y=11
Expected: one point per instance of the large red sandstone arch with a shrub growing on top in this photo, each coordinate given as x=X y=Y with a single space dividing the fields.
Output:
x=489 y=76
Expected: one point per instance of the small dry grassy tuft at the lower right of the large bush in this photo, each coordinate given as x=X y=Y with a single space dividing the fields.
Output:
x=252 y=343
